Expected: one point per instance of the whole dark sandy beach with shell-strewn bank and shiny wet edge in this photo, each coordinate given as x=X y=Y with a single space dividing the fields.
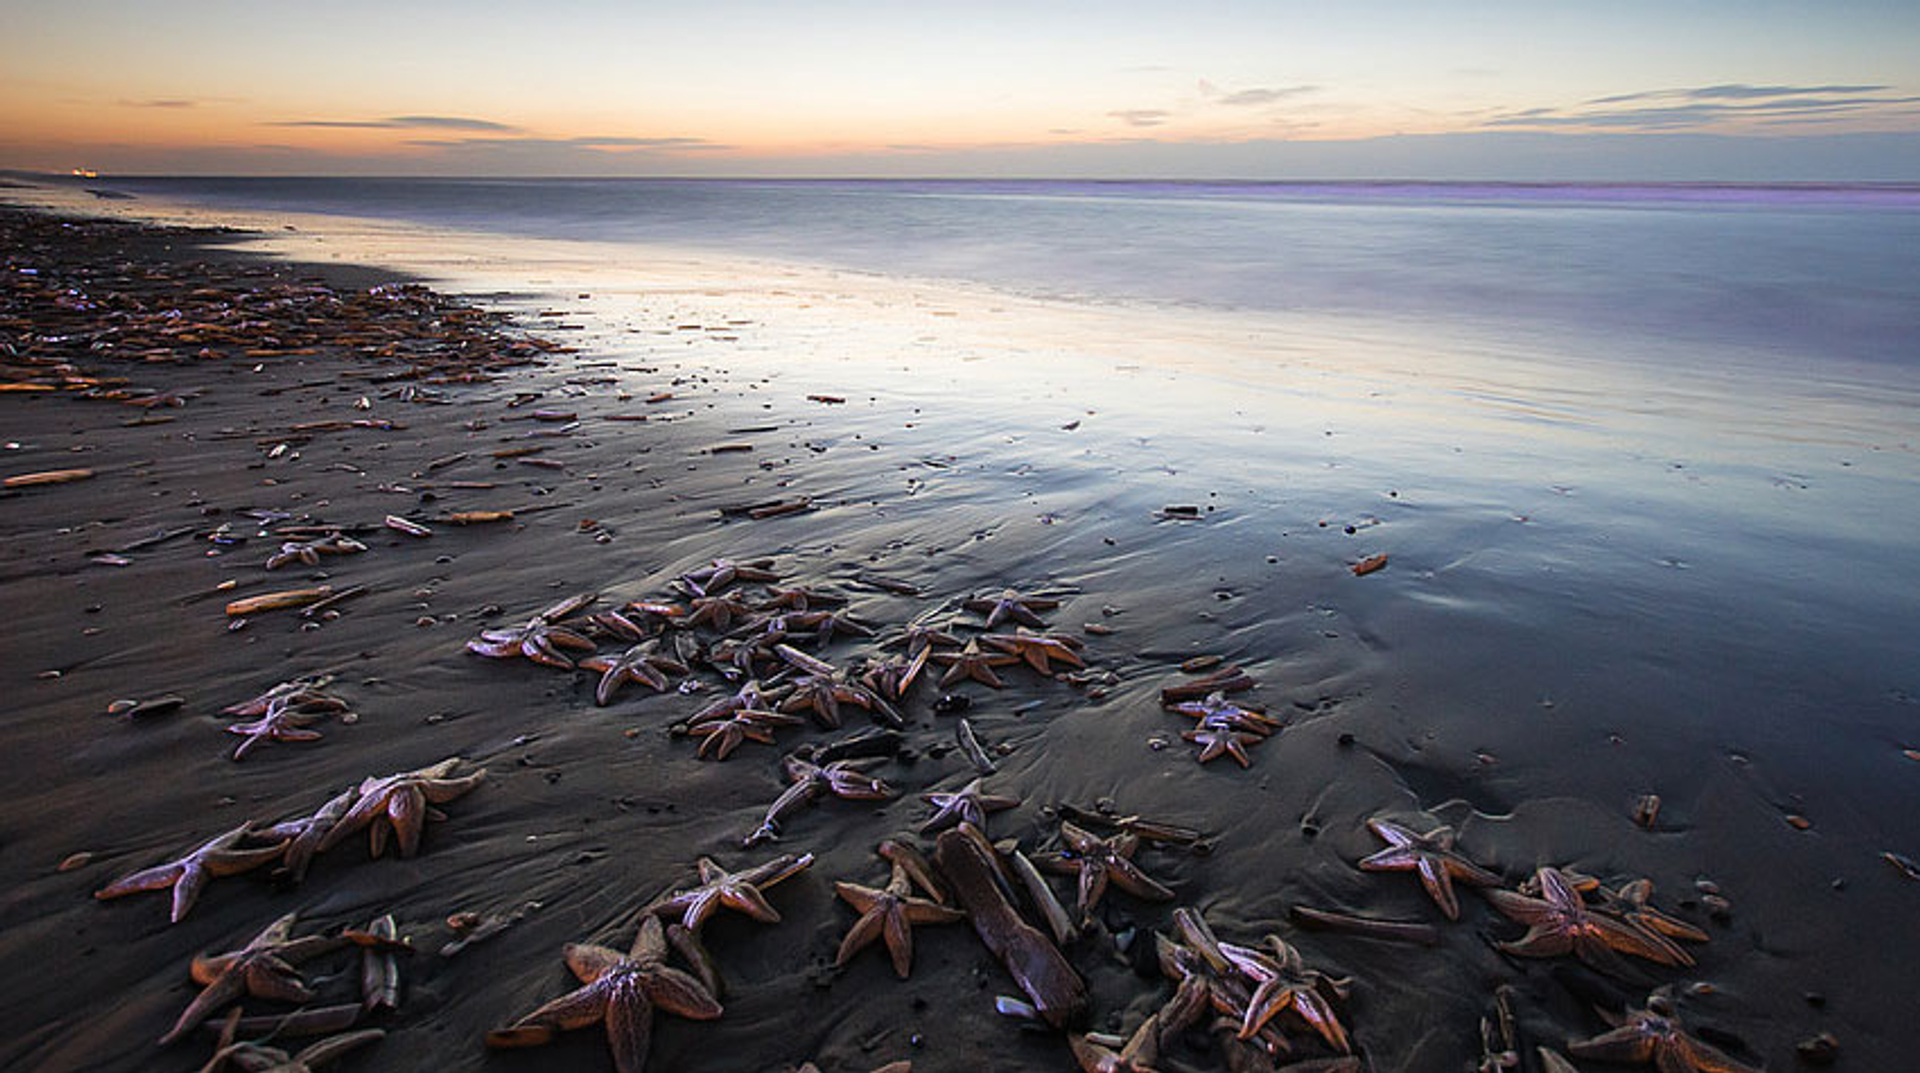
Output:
x=1539 y=654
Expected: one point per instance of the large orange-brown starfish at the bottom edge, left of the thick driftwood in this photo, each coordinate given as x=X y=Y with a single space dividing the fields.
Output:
x=619 y=990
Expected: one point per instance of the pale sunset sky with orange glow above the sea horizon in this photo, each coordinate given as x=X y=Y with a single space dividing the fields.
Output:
x=1679 y=89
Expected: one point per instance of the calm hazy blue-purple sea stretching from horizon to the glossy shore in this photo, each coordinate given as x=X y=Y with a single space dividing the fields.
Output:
x=1800 y=275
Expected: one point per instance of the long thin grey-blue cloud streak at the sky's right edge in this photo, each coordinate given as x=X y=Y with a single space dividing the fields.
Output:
x=1712 y=107
